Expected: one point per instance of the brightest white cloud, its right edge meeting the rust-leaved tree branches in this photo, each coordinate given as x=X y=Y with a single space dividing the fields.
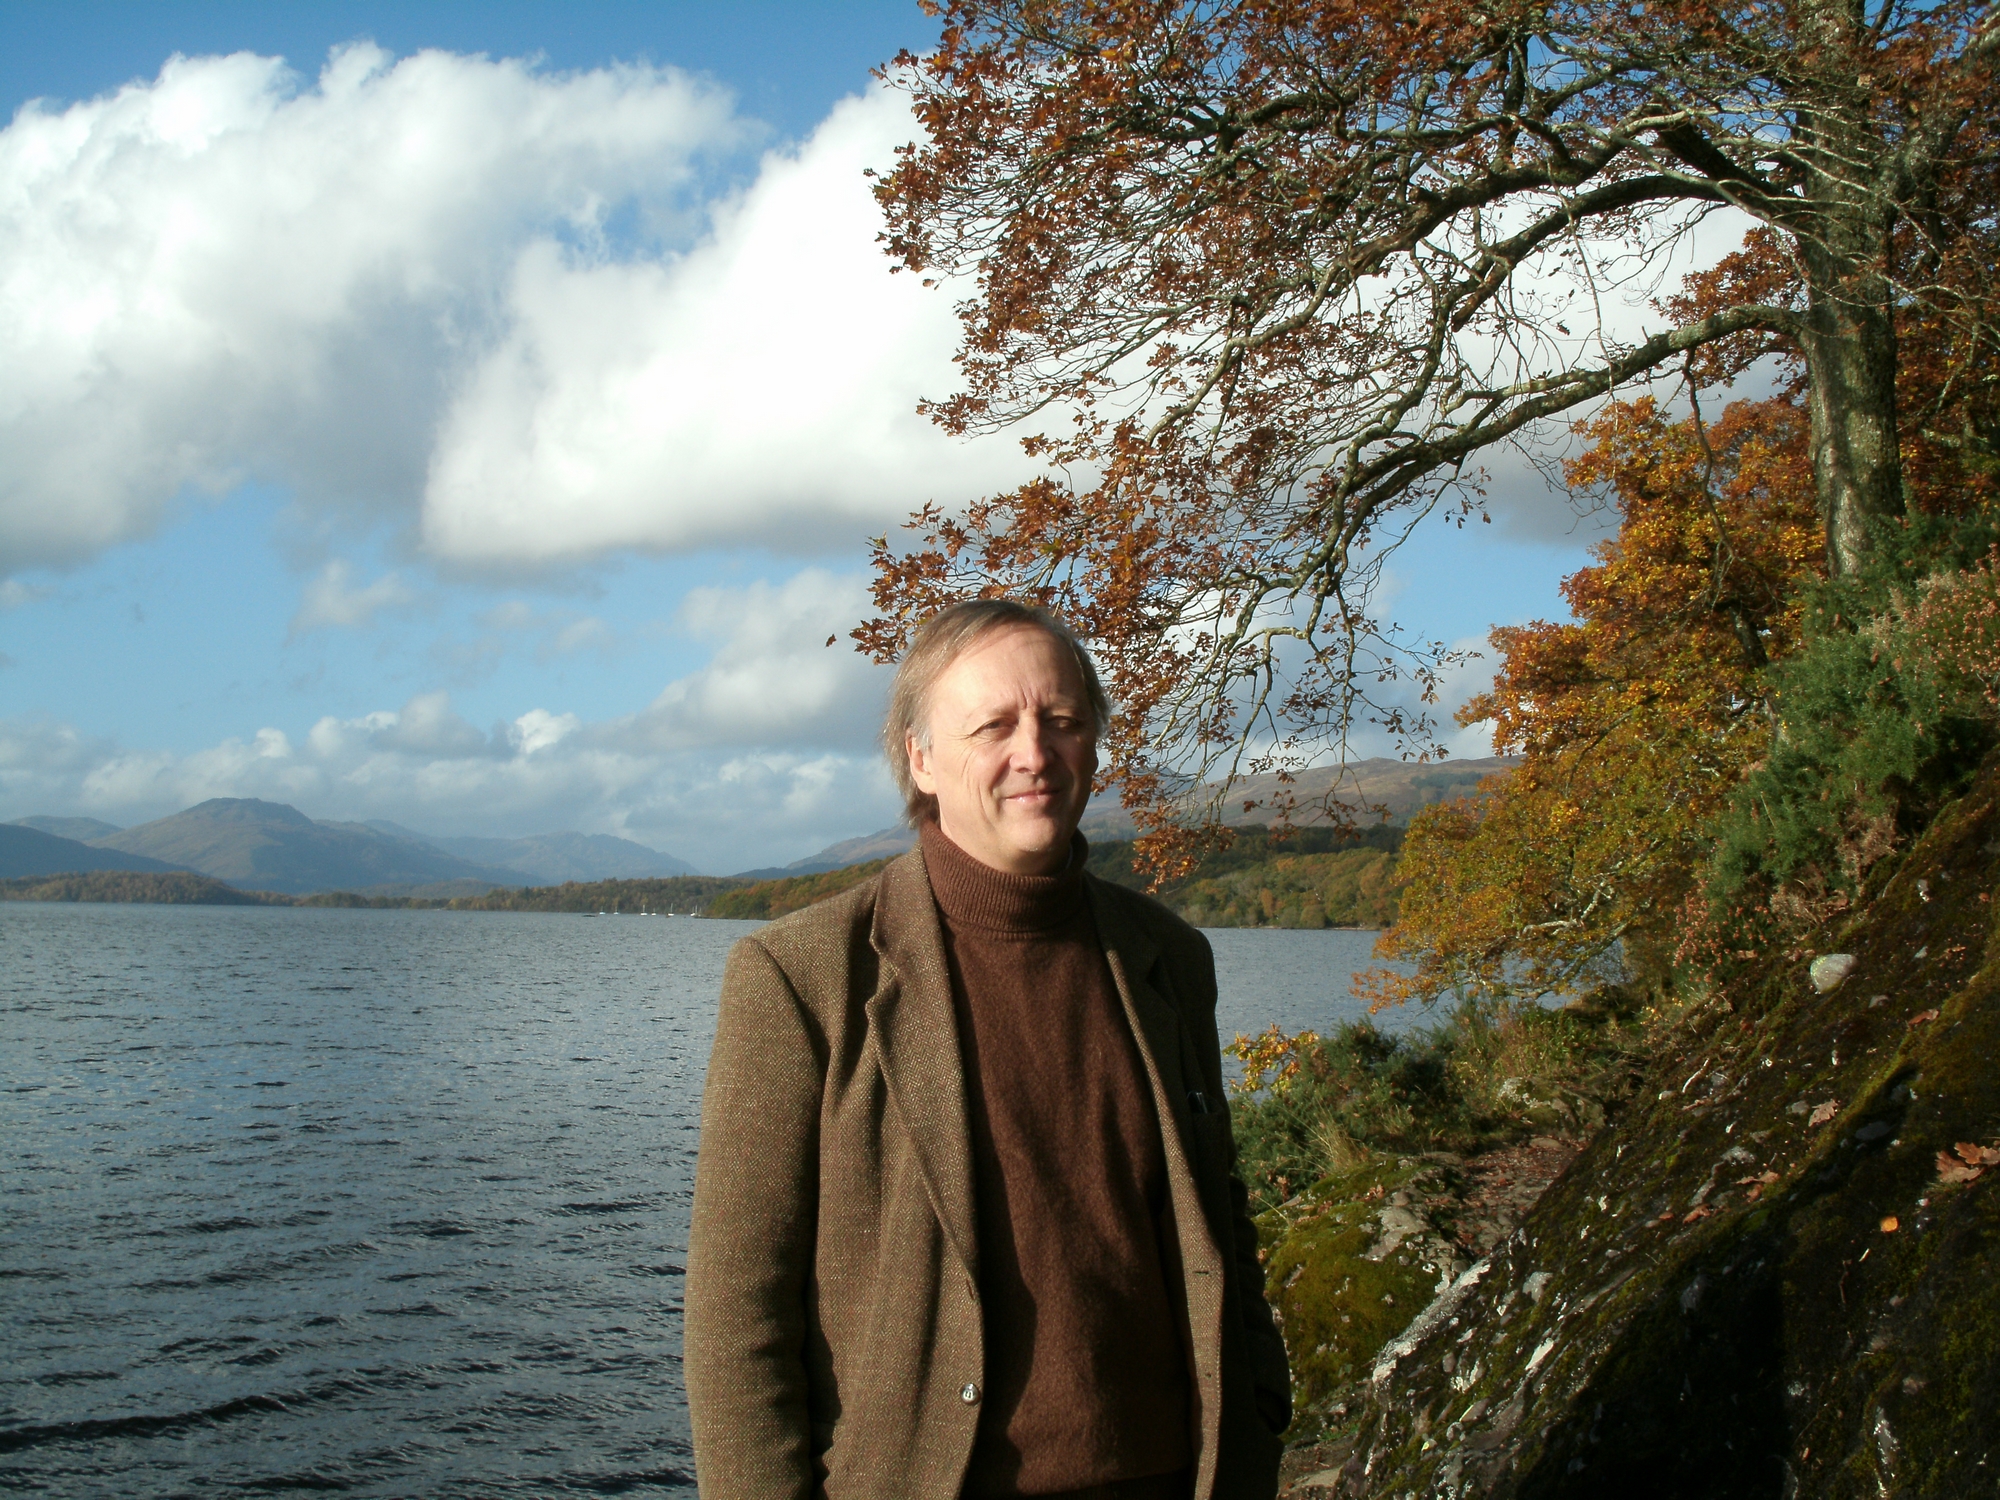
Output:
x=761 y=387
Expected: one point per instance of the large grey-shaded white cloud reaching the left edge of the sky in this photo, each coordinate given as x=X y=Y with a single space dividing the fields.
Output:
x=221 y=275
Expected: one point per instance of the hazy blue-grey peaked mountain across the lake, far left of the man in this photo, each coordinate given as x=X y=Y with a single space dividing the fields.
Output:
x=273 y=847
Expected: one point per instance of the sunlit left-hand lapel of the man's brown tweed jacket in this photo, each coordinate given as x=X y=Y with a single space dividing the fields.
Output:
x=917 y=1041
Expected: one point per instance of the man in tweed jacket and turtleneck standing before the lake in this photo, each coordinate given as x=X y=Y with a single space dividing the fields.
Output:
x=967 y=1217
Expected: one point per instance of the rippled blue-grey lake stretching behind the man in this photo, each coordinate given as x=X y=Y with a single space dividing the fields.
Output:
x=377 y=1203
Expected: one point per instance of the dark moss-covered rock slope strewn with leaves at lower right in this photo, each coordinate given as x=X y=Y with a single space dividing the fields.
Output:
x=1761 y=1279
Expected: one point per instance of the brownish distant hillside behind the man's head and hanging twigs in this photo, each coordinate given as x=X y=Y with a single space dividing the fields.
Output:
x=1401 y=787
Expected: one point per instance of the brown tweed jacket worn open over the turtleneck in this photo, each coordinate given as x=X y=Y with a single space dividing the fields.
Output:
x=833 y=1319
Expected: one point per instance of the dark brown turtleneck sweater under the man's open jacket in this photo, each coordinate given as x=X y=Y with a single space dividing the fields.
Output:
x=1087 y=1385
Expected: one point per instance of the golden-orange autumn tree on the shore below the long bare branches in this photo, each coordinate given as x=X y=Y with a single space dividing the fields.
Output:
x=1635 y=723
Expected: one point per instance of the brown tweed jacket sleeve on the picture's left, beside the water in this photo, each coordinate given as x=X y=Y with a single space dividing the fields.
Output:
x=753 y=1237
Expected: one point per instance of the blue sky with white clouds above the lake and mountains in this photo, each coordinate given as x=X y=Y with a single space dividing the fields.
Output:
x=485 y=437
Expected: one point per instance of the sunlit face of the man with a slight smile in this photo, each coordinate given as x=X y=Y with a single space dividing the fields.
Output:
x=1013 y=751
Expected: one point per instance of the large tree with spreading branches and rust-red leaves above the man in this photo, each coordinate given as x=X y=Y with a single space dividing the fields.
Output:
x=1269 y=279
